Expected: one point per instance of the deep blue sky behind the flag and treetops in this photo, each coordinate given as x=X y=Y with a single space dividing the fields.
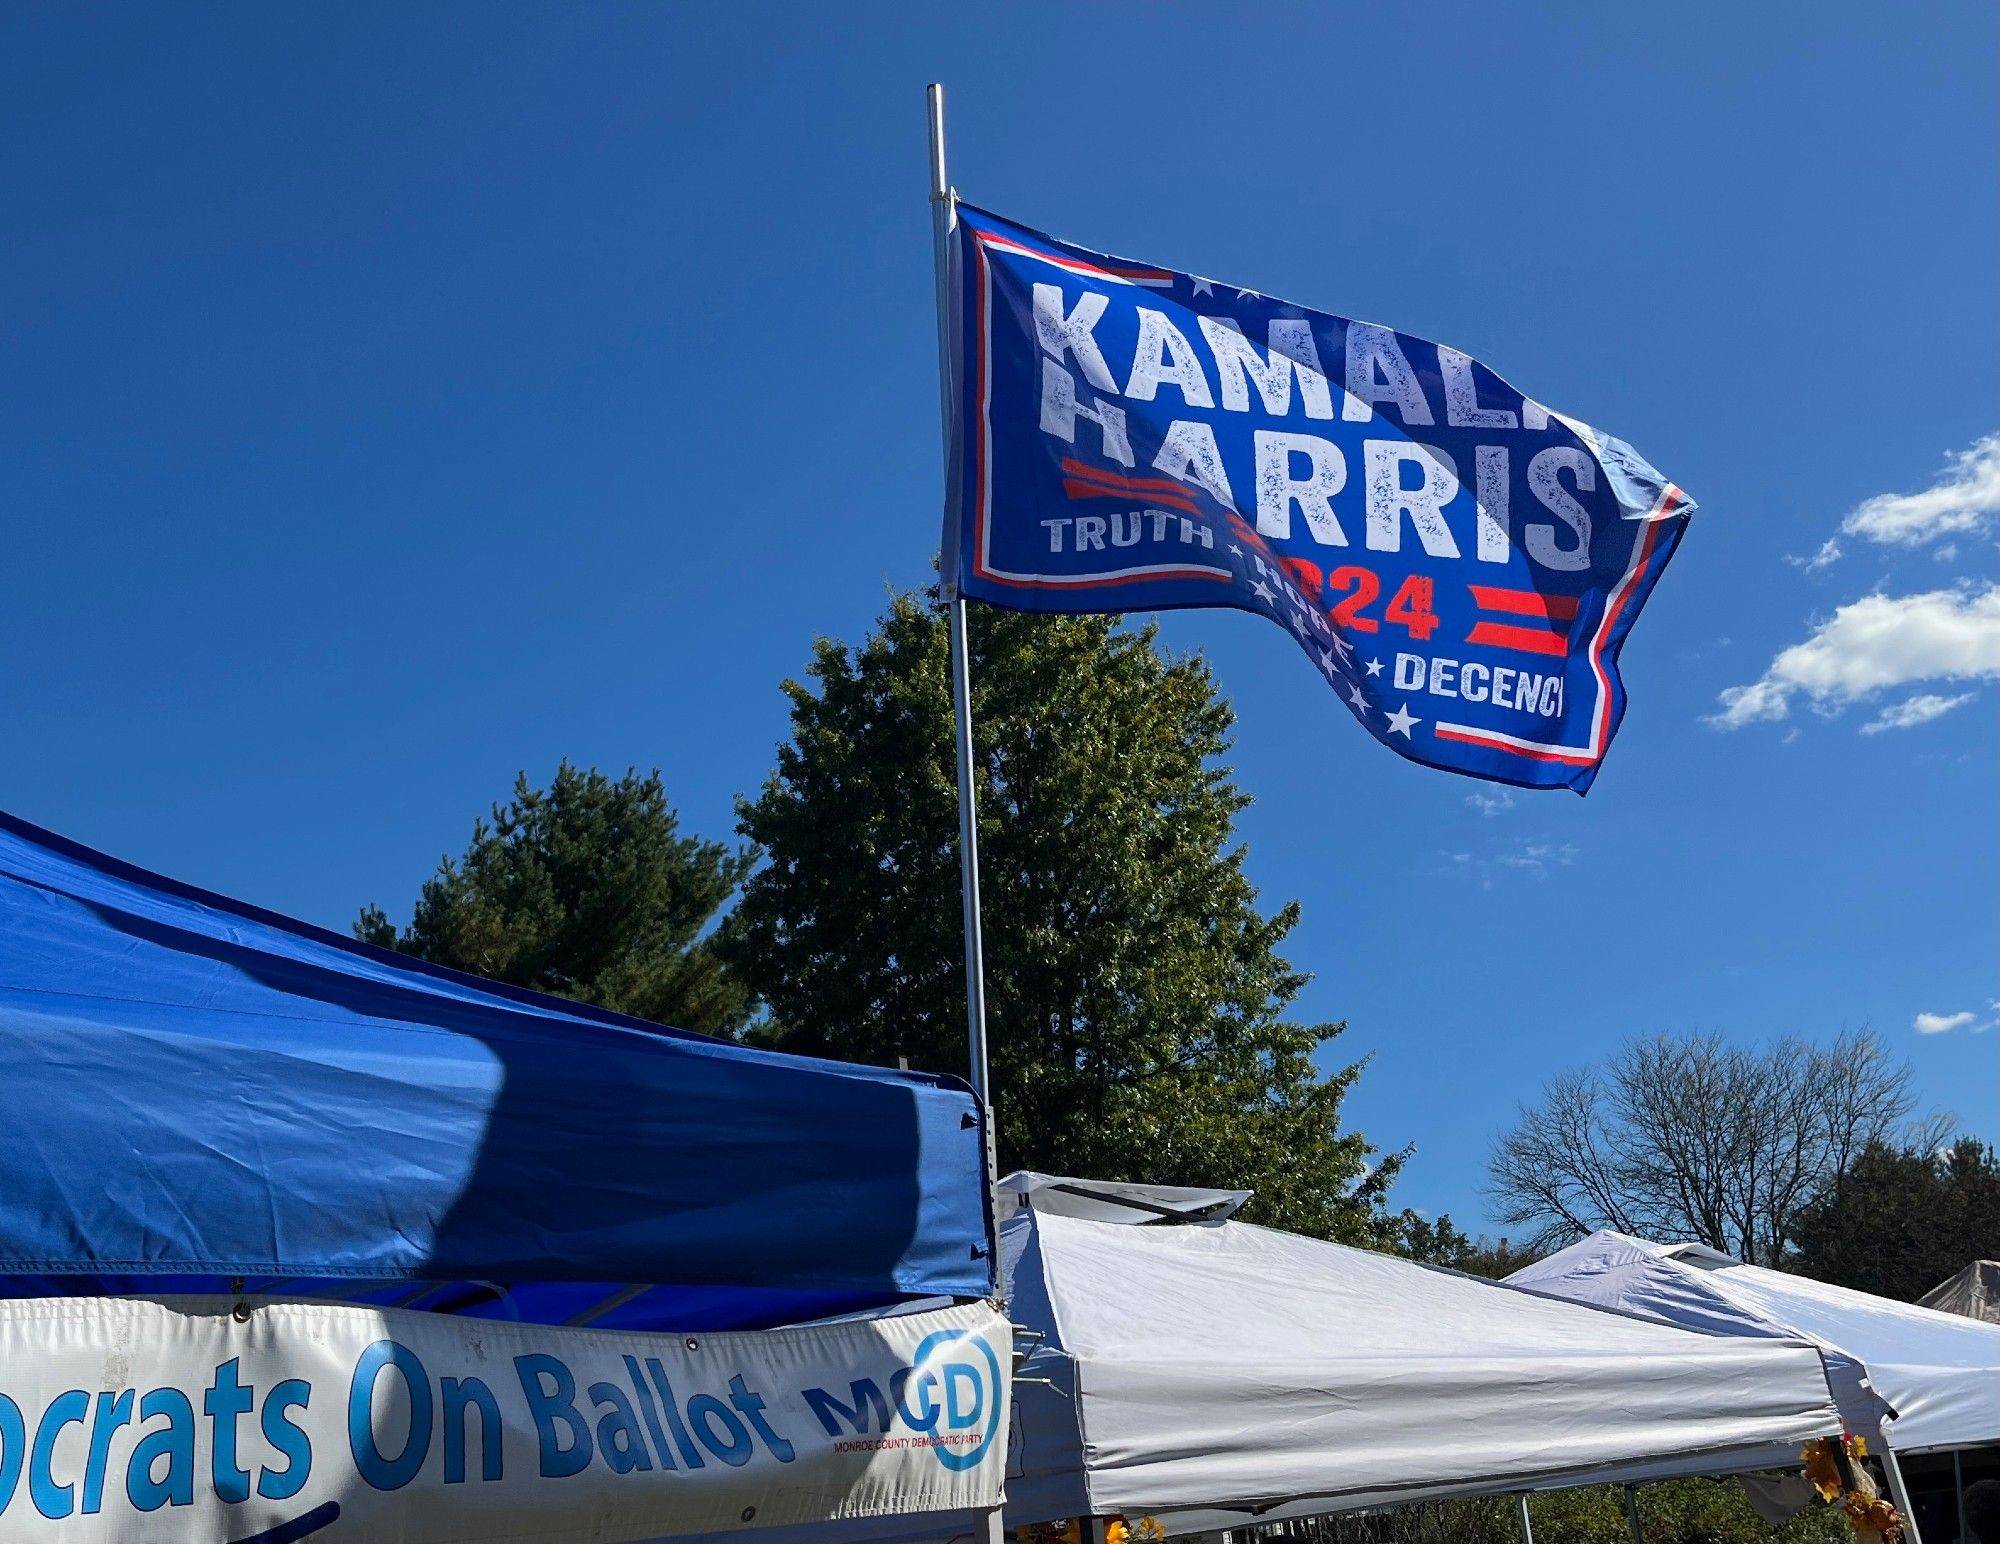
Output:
x=401 y=397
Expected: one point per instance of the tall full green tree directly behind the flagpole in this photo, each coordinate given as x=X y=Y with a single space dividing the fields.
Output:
x=1135 y=991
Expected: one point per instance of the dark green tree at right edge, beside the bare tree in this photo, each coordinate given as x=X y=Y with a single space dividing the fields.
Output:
x=1903 y=1219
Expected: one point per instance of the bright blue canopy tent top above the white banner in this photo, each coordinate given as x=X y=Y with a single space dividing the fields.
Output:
x=199 y=1091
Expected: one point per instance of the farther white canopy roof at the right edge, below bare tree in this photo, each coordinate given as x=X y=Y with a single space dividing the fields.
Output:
x=1937 y=1373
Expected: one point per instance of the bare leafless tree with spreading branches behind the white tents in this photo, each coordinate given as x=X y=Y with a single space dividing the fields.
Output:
x=1693 y=1139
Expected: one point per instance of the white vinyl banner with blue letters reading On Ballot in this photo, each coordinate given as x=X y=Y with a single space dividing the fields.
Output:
x=175 y=1421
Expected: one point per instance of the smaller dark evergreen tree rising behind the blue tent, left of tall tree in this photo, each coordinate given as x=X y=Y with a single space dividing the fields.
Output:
x=589 y=891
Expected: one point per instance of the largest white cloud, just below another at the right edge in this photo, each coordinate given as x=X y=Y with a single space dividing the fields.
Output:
x=1871 y=645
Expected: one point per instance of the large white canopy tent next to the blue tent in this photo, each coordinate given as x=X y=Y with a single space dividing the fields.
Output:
x=1217 y=1375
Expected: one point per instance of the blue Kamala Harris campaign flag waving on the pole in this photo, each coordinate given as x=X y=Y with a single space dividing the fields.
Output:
x=1459 y=563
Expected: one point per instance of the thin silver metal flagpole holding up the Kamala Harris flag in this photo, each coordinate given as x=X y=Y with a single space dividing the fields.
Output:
x=943 y=221
